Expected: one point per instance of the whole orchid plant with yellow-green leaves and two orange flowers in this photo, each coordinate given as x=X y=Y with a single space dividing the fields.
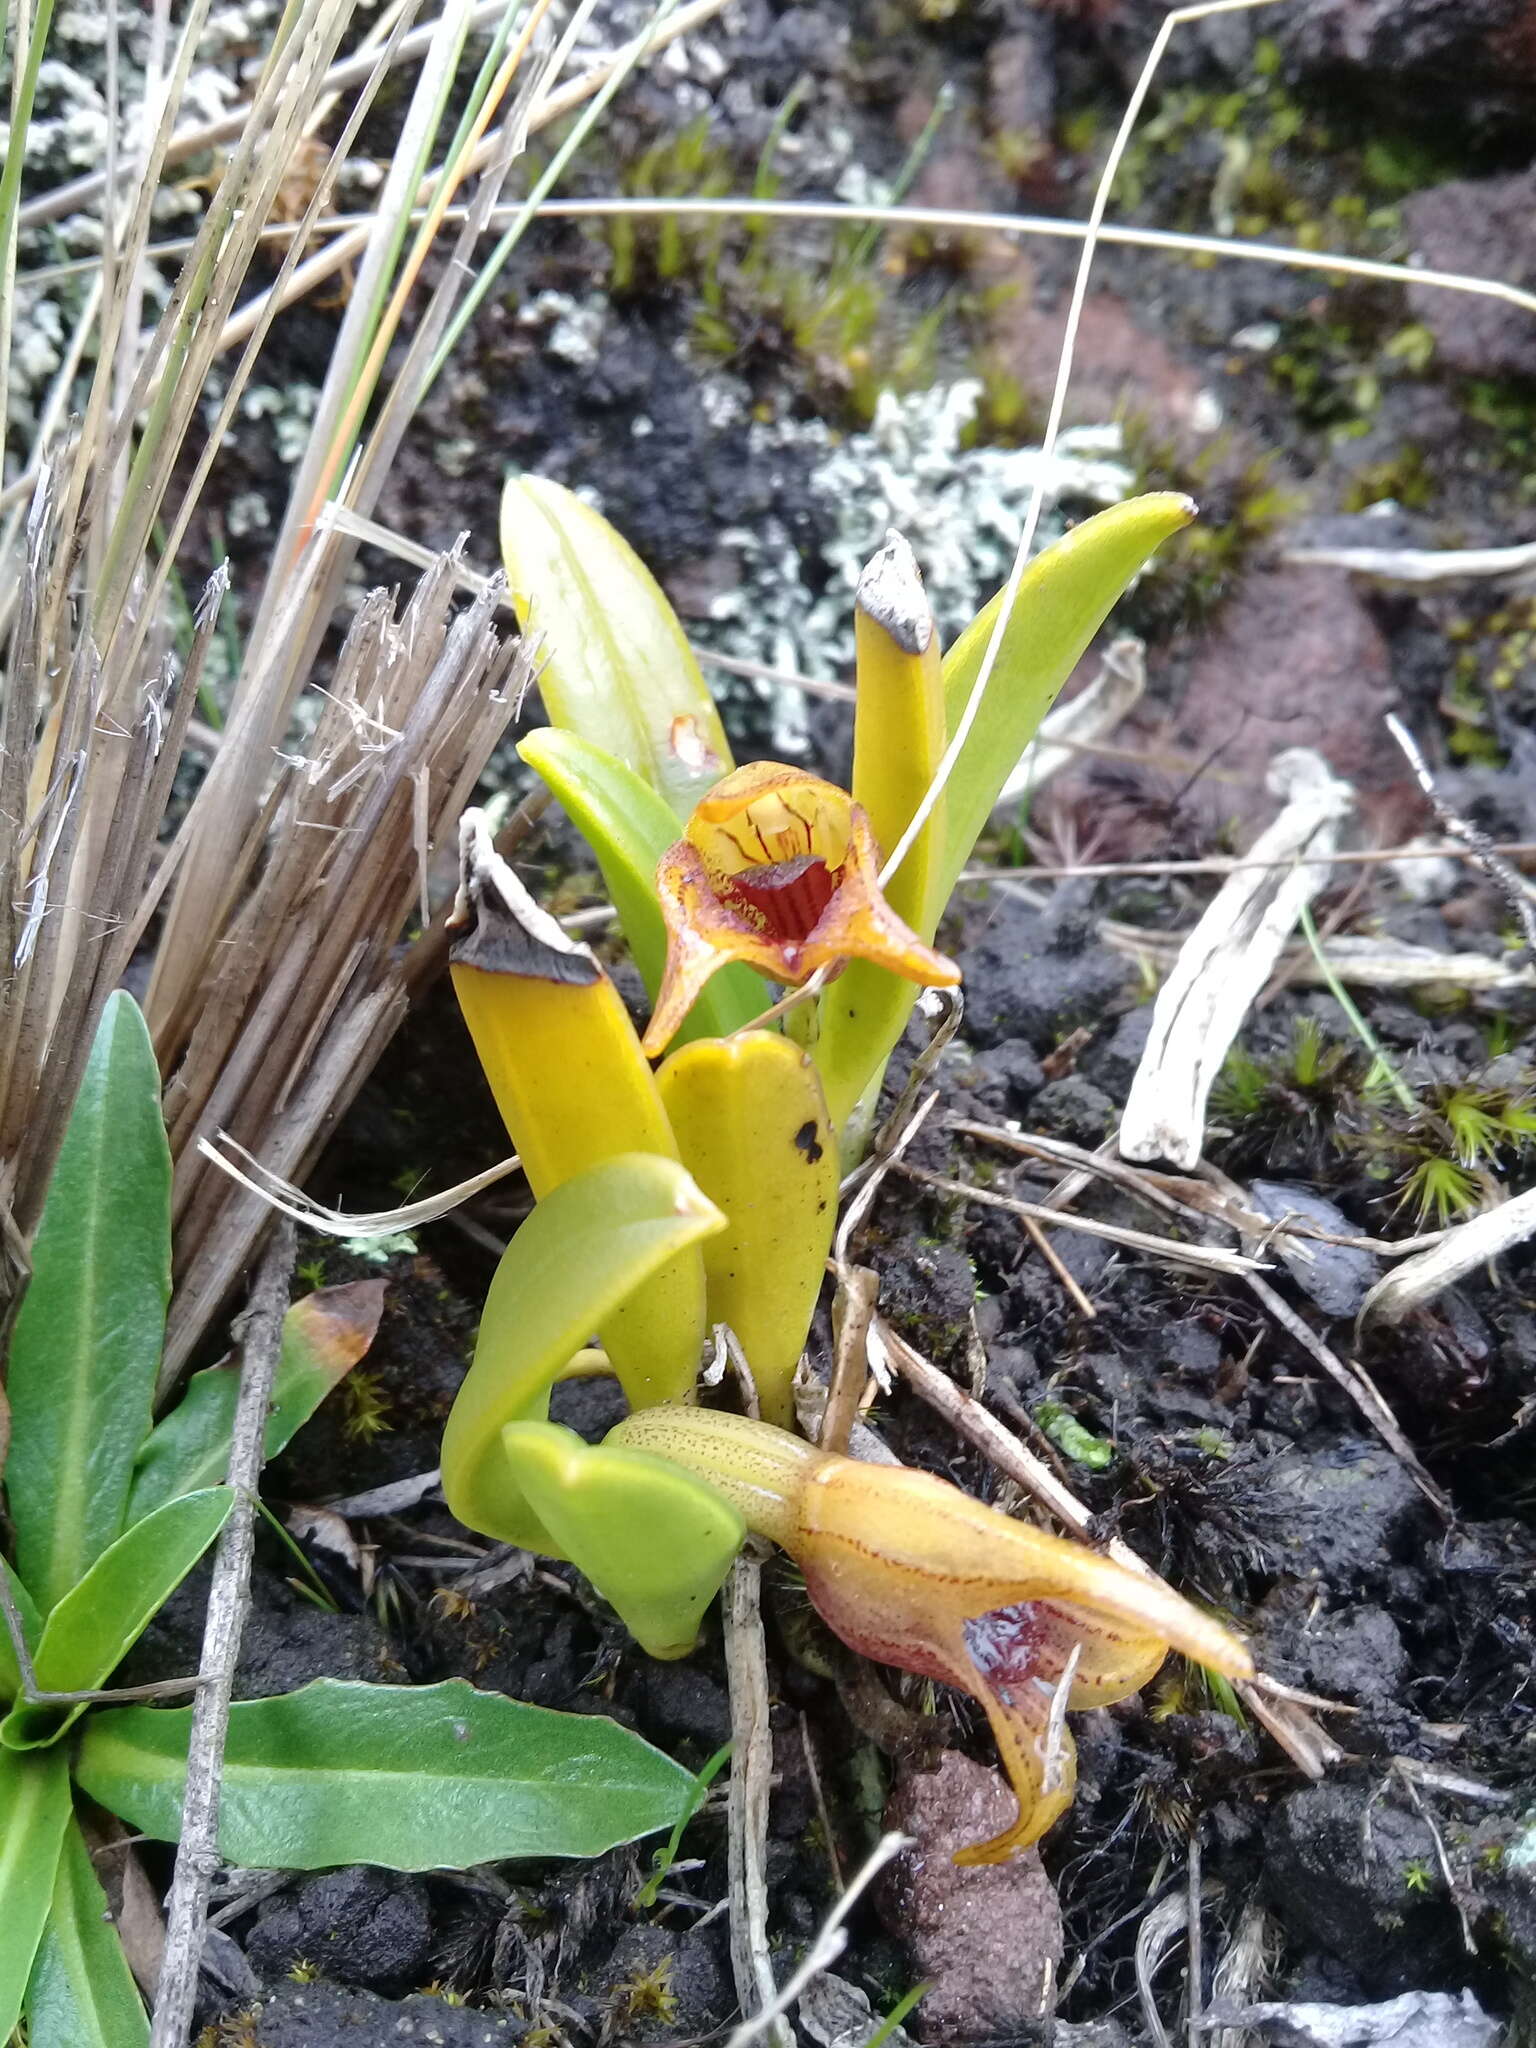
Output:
x=706 y=1191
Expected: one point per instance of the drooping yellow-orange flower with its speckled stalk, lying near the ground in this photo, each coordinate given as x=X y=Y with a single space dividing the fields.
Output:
x=916 y=1574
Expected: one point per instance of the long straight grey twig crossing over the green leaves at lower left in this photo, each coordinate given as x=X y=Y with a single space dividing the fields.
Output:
x=198 y=1859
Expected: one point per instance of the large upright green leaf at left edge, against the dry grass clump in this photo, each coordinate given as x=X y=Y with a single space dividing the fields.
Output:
x=89 y=1336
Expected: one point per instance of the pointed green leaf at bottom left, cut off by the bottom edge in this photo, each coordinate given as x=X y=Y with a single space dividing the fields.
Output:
x=83 y=1992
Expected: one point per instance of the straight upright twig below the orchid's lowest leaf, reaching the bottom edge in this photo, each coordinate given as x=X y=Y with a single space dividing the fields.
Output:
x=746 y=1809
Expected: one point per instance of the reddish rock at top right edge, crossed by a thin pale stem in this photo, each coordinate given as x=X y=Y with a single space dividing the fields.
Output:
x=1484 y=228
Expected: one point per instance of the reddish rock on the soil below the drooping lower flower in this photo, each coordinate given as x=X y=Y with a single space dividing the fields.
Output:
x=988 y=1938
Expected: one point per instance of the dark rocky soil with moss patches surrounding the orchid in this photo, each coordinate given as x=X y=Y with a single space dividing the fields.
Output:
x=1232 y=1461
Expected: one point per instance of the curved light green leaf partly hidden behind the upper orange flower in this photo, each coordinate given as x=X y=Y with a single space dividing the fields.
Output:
x=630 y=828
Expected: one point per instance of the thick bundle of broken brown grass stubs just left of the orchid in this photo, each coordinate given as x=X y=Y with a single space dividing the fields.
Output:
x=306 y=984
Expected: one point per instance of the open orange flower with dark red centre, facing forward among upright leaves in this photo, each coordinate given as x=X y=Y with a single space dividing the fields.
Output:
x=777 y=869
